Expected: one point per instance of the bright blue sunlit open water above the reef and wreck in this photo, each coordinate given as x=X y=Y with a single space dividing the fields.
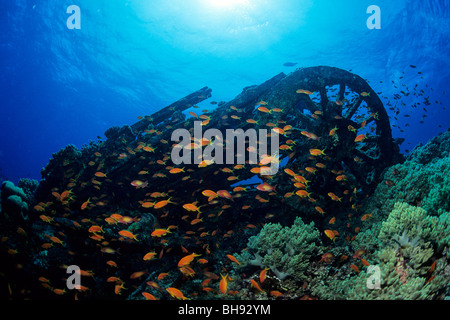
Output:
x=130 y=58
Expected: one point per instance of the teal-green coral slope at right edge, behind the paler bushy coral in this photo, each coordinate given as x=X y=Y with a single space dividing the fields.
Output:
x=423 y=180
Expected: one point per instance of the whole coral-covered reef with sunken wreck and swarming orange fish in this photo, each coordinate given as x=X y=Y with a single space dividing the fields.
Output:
x=341 y=219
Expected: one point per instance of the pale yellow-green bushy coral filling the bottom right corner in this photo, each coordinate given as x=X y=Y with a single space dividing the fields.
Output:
x=409 y=243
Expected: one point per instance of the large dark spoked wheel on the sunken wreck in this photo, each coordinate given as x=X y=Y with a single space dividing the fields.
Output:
x=341 y=100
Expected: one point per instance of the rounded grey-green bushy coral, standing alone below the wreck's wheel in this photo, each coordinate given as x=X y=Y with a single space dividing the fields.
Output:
x=286 y=250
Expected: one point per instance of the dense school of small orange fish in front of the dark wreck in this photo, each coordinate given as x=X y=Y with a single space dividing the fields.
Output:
x=135 y=223
